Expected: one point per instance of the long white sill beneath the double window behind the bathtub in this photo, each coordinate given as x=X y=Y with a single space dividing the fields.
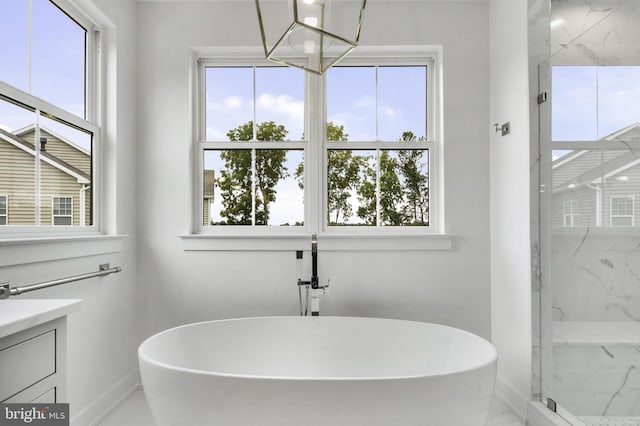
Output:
x=326 y=242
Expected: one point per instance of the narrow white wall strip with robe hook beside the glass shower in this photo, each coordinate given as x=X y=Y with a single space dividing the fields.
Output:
x=510 y=201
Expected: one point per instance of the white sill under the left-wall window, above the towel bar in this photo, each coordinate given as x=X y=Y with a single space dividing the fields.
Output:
x=20 y=251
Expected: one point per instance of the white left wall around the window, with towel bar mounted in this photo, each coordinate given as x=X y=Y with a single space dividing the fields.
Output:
x=103 y=335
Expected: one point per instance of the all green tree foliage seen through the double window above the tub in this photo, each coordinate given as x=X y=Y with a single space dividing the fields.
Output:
x=392 y=187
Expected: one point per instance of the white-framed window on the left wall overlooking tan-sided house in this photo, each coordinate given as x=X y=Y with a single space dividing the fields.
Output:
x=48 y=124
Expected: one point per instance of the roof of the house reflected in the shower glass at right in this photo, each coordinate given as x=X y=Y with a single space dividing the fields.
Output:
x=585 y=167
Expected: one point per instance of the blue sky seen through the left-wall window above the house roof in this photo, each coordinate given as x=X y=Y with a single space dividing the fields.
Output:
x=50 y=64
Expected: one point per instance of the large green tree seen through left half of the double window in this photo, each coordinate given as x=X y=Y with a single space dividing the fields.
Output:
x=235 y=180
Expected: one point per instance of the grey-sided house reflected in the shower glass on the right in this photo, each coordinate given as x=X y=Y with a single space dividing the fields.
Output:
x=598 y=187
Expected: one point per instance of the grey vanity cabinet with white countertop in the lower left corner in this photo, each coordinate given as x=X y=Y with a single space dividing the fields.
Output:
x=33 y=358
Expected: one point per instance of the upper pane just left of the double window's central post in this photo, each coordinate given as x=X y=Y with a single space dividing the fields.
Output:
x=280 y=99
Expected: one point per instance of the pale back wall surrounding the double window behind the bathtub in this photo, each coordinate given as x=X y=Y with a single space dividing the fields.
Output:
x=449 y=287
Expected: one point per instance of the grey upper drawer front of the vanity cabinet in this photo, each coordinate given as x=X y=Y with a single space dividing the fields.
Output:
x=26 y=363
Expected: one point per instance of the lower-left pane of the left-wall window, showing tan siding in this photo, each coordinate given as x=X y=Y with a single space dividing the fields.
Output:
x=17 y=163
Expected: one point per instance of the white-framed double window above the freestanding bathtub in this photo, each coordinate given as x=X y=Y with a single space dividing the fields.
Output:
x=282 y=150
